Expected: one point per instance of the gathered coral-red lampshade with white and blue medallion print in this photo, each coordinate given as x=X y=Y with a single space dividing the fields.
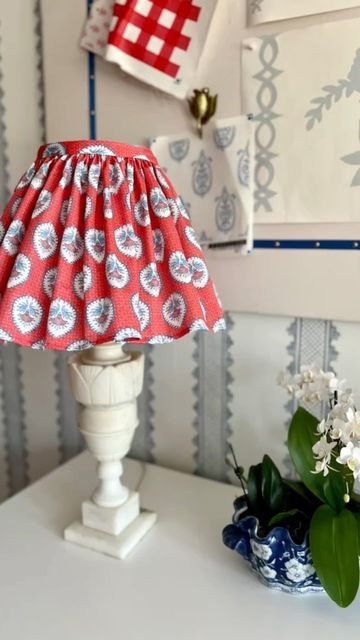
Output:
x=96 y=246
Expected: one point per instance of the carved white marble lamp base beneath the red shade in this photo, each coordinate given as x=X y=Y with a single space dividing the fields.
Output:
x=106 y=382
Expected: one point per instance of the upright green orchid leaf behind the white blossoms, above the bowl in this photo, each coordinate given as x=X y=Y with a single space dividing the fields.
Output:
x=302 y=437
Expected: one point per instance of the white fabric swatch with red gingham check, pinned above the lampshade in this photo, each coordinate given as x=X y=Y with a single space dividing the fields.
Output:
x=160 y=41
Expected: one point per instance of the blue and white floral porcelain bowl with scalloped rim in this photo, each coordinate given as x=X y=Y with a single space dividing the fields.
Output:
x=276 y=559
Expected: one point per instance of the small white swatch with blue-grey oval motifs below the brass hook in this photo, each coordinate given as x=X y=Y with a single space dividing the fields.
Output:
x=214 y=178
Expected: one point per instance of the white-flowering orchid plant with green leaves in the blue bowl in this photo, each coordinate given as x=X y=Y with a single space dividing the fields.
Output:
x=325 y=503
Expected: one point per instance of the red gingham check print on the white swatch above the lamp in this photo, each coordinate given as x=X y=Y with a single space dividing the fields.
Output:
x=148 y=26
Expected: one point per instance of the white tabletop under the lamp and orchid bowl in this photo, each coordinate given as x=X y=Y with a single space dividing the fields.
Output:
x=180 y=583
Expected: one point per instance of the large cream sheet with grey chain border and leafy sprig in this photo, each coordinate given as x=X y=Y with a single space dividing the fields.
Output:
x=302 y=88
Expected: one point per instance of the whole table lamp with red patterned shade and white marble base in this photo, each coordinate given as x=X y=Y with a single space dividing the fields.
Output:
x=97 y=250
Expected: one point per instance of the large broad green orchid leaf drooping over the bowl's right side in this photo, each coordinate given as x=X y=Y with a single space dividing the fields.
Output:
x=334 y=551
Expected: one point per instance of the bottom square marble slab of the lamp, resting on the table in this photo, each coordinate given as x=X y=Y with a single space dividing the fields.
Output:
x=117 y=546
